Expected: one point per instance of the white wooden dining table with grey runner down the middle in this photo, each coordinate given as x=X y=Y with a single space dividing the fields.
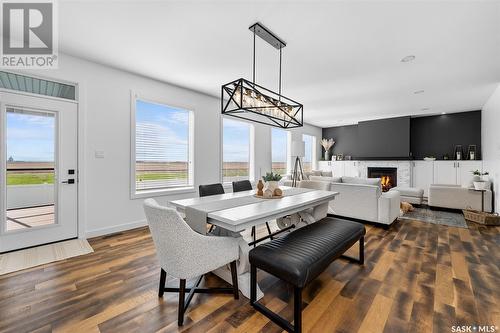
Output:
x=236 y=212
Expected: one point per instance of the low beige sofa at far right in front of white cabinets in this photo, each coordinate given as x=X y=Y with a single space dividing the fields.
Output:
x=458 y=197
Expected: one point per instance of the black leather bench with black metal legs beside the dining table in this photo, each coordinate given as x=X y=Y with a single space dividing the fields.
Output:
x=300 y=256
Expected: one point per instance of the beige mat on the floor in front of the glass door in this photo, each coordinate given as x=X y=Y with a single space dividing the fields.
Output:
x=40 y=255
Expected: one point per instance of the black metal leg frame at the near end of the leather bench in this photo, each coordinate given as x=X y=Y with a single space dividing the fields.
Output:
x=297 y=306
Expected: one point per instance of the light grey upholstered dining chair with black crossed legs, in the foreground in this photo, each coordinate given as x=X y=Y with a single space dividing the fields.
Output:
x=186 y=254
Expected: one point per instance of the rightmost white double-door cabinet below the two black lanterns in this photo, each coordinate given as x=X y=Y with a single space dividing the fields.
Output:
x=455 y=172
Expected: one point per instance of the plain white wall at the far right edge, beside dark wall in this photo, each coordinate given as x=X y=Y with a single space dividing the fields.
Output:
x=491 y=142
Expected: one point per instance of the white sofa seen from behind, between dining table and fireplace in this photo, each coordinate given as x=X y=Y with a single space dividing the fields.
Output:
x=362 y=198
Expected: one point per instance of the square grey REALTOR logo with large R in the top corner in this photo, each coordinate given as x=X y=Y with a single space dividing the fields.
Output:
x=29 y=34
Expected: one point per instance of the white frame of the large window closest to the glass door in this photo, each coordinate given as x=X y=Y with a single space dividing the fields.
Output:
x=134 y=194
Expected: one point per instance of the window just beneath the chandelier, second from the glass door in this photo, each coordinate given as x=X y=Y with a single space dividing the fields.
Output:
x=235 y=150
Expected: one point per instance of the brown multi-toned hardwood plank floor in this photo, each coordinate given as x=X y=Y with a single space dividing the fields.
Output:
x=417 y=277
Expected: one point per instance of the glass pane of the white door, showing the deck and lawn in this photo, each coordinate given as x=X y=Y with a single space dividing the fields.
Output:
x=30 y=146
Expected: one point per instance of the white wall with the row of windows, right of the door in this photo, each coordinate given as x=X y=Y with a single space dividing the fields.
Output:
x=105 y=104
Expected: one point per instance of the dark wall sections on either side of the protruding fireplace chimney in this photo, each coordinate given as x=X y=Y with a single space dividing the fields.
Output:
x=430 y=135
